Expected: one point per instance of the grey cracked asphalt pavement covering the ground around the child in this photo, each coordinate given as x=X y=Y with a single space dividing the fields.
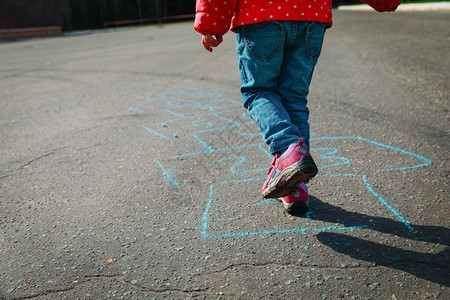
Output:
x=130 y=170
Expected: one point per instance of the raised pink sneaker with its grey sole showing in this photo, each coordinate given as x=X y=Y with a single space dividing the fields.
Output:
x=294 y=166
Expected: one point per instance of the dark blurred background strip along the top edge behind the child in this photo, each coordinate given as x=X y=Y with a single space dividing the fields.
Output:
x=73 y=15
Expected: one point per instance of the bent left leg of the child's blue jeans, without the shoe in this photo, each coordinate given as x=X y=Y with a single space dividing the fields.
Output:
x=260 y=55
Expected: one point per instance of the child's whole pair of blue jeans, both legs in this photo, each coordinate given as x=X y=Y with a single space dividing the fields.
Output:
x=276 y=62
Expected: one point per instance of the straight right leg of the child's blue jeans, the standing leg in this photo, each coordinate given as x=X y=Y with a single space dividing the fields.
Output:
x=300 y=57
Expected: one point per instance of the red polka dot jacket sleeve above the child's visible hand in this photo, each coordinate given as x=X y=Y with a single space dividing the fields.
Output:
x=214 y=16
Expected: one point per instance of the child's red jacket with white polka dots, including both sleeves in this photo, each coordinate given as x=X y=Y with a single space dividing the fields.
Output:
x=218 y=16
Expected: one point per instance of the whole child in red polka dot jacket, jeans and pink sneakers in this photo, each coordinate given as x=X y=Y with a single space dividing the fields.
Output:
x=278 y=45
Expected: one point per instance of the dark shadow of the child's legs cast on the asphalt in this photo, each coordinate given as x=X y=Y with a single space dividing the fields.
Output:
x=429 y=266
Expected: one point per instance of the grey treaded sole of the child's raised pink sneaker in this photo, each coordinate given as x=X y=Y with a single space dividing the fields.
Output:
x=289 y=179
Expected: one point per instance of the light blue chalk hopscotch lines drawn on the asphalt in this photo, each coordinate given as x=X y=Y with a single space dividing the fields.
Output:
x=175 y=102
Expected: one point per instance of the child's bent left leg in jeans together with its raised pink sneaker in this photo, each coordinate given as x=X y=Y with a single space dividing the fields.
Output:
x=260 y=50
